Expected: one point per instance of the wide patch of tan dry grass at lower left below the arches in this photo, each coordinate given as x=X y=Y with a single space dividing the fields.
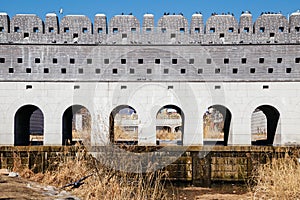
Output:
x=105 y=183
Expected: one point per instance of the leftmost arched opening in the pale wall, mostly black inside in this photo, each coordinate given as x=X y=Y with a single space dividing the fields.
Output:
x=29 y=126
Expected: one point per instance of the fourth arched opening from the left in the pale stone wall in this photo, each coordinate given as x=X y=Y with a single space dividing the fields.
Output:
x=169 y=126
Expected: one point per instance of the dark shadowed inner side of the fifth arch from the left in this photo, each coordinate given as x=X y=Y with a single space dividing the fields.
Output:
x=226 y=114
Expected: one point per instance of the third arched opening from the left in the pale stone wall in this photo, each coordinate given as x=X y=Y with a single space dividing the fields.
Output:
x=124 y=125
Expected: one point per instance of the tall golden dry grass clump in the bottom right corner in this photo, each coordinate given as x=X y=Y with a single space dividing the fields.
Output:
x=278 y=179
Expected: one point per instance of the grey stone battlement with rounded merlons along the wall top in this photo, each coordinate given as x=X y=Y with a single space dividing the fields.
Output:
x=170 y=29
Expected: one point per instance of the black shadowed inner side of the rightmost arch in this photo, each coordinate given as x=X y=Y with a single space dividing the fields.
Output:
x=272 y=116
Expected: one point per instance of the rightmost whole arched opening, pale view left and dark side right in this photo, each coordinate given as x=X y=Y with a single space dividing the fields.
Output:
x=264 y=125
